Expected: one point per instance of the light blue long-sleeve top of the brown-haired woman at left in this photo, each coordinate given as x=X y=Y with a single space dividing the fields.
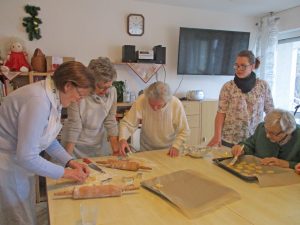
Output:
x=24 y=117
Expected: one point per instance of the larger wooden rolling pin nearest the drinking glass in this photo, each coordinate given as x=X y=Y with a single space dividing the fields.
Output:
x=95 y=191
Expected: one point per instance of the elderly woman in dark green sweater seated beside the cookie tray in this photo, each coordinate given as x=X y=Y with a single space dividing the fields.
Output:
x=276 y=140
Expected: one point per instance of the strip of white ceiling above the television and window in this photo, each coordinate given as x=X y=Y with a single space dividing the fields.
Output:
x=245 y=7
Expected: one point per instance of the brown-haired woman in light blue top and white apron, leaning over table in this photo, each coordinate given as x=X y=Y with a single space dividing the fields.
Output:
x=29 y=124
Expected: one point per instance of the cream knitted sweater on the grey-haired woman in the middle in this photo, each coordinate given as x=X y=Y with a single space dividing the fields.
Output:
x=160 y=129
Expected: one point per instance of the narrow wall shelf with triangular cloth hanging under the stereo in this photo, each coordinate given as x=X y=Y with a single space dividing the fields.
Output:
x=145 y=71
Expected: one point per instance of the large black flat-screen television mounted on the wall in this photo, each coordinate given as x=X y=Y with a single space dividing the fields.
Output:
x=209 y=52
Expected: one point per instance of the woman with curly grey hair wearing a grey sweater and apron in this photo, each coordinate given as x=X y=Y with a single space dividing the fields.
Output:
x=84 y=131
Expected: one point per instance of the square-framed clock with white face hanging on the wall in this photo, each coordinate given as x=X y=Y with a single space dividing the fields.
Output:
x=135 y=24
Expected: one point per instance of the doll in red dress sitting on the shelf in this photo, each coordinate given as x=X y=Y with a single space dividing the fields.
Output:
x=16 y=59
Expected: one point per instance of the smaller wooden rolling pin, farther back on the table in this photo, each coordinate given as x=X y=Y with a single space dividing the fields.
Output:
x=123 y=165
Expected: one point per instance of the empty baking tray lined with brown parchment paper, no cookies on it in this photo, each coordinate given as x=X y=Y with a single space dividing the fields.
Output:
x=192 y=192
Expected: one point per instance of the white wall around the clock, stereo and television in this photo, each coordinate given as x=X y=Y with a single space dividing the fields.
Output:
x=92 y=28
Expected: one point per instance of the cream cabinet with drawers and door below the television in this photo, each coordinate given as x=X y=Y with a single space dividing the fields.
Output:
x=201 y=119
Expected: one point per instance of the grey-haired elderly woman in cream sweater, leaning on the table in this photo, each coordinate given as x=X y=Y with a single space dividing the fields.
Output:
x=164 y=123
